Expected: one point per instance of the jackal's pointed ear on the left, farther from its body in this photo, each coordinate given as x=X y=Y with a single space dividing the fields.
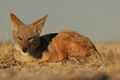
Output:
x=15 y=21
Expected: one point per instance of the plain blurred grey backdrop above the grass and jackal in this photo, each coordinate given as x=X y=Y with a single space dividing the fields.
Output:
x=97 y=19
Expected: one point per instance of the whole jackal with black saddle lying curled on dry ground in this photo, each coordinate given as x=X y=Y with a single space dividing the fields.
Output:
x=31 y=47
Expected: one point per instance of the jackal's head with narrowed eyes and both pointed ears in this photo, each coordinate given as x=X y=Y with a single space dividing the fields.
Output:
x=26 y=36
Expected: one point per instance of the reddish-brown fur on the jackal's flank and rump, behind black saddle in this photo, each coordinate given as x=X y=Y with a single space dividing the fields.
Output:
x=70 y=44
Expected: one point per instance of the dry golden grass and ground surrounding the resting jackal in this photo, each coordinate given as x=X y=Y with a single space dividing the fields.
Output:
x=96 y=67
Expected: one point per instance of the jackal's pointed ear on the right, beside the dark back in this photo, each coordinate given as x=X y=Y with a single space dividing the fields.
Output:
x=38 y=25
